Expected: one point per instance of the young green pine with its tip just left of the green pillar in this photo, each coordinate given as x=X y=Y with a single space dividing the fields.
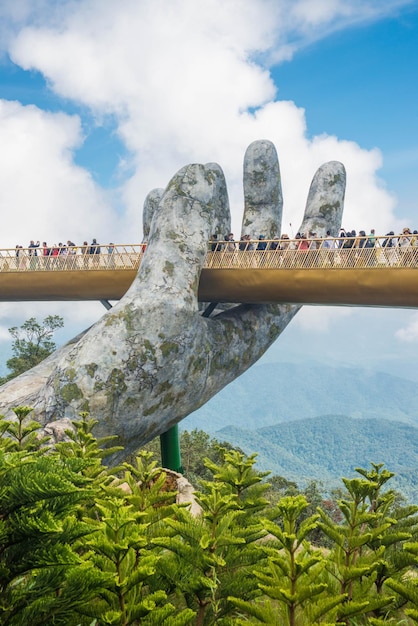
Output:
x=129 y=513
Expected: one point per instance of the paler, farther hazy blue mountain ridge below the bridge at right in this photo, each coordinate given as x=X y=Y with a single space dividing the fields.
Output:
x=272 y=393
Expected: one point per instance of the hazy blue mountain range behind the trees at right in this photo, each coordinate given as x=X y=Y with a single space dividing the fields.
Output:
x=313 y=422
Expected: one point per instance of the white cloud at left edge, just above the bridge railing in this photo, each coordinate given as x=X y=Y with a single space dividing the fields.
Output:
x=42 y=192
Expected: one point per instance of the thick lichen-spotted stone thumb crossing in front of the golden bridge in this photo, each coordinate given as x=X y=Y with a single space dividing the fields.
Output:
x=181 y=227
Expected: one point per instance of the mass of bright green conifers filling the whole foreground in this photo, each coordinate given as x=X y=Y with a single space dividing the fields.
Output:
x=82 y=545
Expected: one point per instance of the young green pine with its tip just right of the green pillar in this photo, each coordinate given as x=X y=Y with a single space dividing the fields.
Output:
x=214 y=554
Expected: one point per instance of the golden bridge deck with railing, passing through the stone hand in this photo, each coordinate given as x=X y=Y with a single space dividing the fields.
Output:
x=283 y=272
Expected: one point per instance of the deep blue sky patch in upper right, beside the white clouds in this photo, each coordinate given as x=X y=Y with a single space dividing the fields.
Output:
x=361 y=84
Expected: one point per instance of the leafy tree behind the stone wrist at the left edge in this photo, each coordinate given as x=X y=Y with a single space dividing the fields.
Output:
x=32 y=344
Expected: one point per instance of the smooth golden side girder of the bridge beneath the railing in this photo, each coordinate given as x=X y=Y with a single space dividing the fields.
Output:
x=391 y=287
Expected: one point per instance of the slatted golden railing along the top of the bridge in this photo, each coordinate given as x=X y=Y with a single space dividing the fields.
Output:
x=348 y=252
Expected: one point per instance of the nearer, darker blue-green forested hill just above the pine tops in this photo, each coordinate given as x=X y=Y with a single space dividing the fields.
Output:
x=329 y=447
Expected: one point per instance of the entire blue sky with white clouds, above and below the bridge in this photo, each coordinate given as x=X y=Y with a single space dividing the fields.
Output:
x=101 y=101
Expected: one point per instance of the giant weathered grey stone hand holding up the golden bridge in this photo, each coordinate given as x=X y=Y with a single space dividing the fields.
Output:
x=153 y=358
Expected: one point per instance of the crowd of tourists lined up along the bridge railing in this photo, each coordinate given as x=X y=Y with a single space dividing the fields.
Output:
x=390 y=249
